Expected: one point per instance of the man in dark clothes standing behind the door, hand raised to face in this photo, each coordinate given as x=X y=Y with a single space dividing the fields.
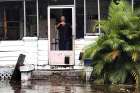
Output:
x=65 y=34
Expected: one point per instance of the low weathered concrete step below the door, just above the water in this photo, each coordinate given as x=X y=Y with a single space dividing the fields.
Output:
x=60 y=74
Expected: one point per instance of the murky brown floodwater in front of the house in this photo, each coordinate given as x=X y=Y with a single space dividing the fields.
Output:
x=42 y=86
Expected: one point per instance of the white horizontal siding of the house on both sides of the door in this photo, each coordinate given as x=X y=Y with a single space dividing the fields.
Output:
x=36 y=51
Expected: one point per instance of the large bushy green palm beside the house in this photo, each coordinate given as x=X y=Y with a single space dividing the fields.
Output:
x=116 y=53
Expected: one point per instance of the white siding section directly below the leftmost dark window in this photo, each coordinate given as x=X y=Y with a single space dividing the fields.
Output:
x=9 y=52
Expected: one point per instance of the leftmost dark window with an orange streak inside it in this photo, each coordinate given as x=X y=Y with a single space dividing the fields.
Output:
x=11 y=20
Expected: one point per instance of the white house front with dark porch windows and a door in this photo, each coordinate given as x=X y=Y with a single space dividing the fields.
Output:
x=29 y=27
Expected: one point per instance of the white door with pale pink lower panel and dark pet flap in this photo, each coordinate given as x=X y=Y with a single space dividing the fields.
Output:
x=61 y=32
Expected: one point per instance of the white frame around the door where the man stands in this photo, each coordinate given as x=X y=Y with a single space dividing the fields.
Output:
x=73 y=28
